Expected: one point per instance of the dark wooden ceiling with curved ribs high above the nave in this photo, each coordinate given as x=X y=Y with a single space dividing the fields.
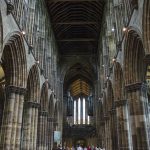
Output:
x=76 y=25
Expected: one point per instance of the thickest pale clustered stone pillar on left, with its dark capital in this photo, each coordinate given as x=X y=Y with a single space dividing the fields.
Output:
x=12 y=121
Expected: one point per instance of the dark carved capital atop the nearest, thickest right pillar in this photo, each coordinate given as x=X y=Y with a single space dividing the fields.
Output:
x=136 y=86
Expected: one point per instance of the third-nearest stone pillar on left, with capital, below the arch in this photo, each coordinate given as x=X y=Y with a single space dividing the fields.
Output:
x=42 y=131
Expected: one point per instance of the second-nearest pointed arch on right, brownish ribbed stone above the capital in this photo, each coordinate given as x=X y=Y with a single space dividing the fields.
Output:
x=118 y=82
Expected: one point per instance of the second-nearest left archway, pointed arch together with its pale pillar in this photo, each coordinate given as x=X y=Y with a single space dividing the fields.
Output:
x=31 y=106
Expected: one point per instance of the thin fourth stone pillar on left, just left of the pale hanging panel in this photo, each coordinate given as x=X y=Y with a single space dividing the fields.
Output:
x=50 y=133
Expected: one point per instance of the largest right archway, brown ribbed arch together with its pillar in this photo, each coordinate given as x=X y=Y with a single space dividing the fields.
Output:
x=134 y=73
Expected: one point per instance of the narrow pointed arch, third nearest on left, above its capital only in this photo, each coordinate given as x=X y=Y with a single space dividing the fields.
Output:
x=44 y=97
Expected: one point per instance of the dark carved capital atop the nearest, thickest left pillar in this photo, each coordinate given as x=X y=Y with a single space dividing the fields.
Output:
x=15 y=89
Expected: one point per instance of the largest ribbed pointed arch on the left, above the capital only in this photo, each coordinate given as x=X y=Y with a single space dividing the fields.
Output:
x=14 y=61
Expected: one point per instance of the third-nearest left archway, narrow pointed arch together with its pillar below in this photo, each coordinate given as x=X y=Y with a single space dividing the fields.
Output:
x=42 y=141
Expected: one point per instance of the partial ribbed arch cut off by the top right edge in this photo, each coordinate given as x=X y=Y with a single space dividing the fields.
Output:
x=146 y=26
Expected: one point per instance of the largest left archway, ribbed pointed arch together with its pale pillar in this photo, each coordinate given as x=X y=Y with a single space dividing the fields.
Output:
x=15 y=70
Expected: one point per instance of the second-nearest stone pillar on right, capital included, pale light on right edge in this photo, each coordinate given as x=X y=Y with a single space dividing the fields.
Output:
x=123 y=128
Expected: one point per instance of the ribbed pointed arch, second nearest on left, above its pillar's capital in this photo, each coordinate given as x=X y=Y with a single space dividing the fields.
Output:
x=33 y=85
